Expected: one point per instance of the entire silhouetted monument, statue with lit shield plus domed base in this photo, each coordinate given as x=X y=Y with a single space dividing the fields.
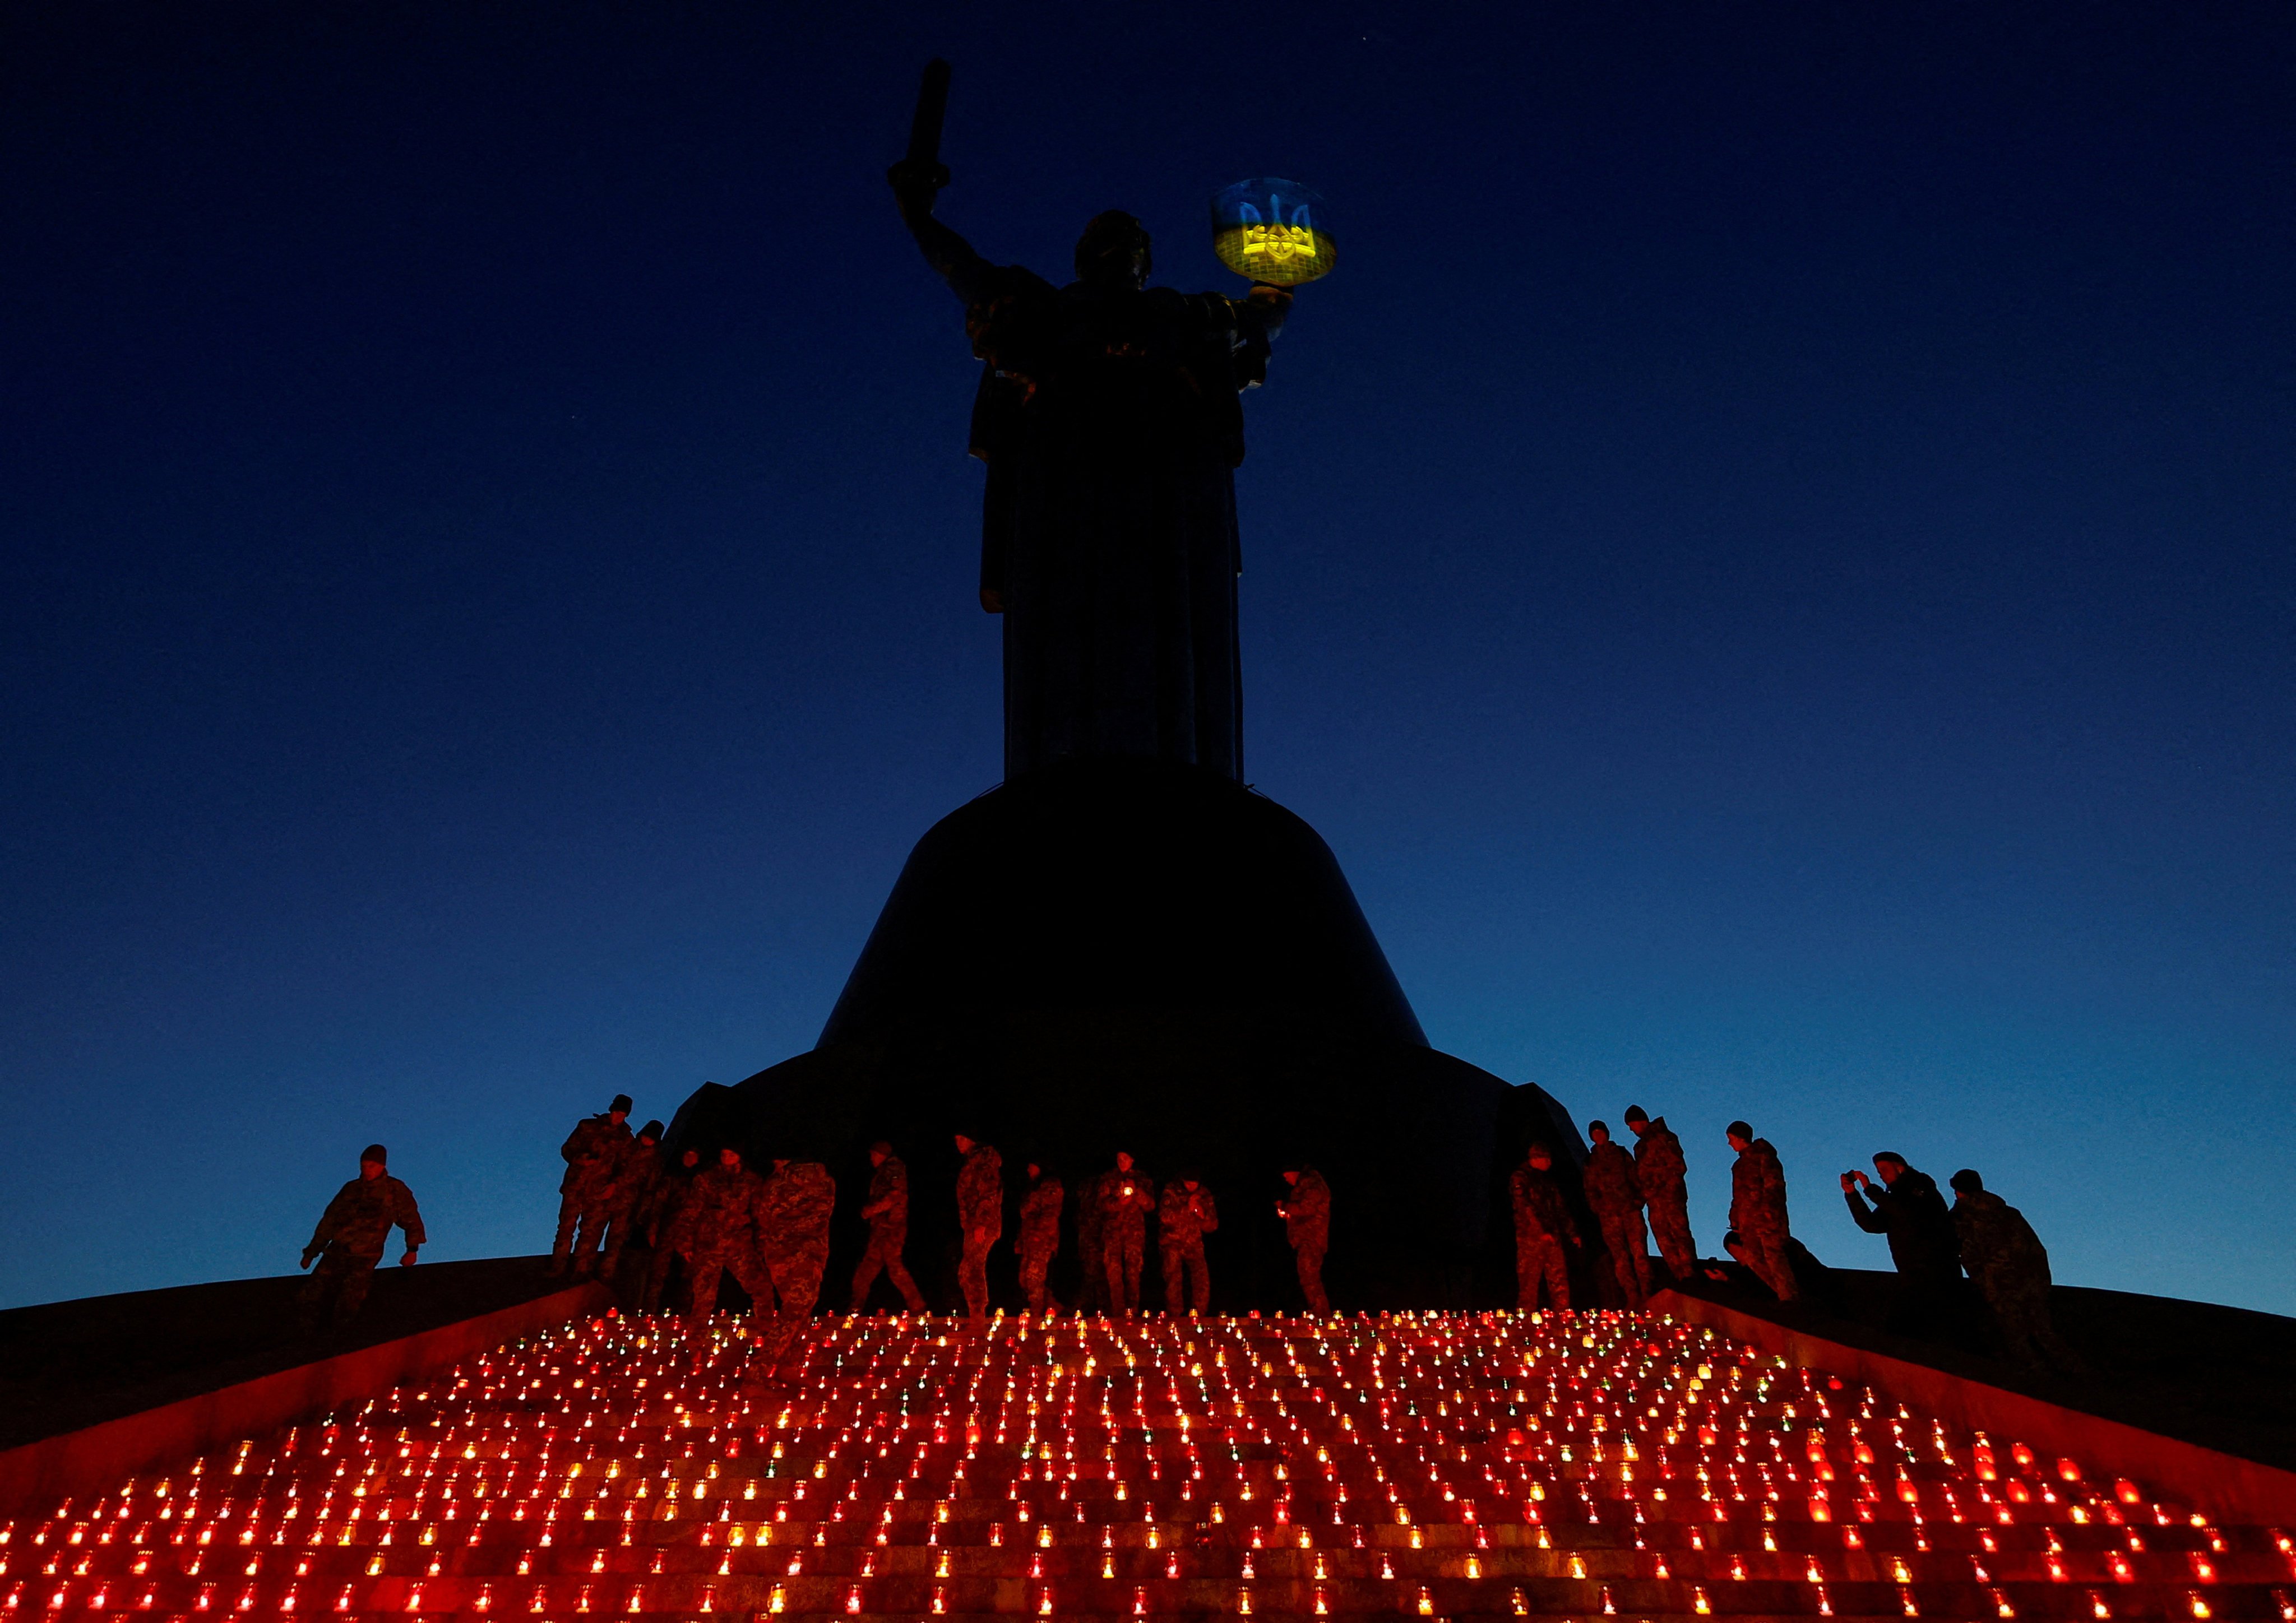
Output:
x=1119 y=945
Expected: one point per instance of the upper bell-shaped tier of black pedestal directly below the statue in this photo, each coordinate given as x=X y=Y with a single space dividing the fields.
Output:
x=1122 y=885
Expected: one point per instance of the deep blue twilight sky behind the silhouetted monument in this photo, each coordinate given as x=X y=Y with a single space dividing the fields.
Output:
x=1769 y=564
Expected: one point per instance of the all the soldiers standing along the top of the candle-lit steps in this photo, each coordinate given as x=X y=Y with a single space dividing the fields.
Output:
x=773 y=1232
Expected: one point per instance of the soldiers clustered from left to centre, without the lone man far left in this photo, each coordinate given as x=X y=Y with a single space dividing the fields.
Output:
x=773 y=1234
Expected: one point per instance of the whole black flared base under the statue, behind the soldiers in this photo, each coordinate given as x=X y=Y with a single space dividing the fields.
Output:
x=1133 y=956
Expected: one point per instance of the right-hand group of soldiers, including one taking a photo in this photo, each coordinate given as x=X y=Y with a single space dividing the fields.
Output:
x=1932 y=1245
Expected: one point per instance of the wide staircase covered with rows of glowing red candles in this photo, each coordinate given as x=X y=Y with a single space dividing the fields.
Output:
x=1448 y=1466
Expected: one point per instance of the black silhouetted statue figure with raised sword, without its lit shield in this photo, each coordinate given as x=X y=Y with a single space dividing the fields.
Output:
x=1110 y=426
